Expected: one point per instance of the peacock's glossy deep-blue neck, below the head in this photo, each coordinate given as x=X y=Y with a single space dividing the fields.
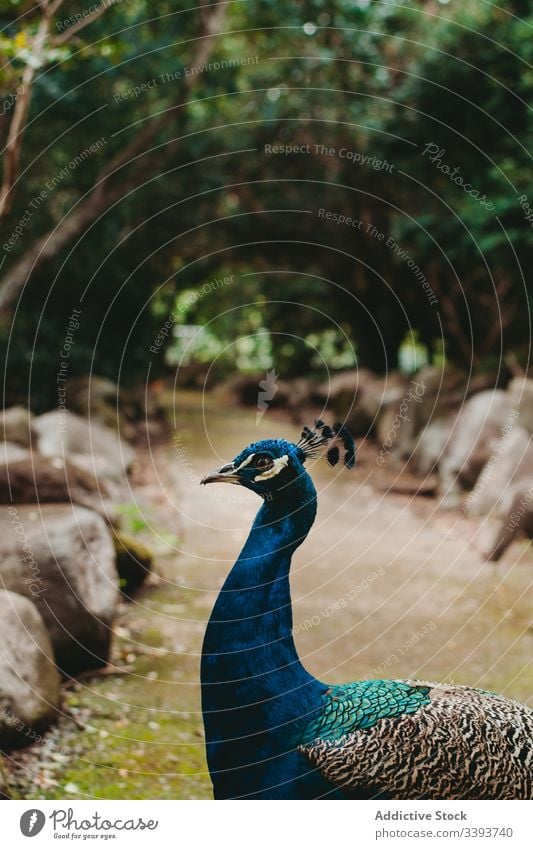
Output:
x=253 y=683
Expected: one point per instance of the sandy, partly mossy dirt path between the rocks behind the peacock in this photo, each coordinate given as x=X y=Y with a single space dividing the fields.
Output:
x=385 y=586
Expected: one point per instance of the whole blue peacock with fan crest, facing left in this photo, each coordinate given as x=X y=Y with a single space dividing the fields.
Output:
x=273 y=731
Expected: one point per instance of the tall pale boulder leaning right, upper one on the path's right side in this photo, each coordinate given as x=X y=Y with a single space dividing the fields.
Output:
x=481 y=422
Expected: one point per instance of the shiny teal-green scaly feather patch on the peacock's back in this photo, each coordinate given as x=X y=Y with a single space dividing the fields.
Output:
x=348 y=707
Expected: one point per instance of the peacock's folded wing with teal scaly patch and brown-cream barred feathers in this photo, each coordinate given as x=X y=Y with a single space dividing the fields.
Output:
x=418 y=740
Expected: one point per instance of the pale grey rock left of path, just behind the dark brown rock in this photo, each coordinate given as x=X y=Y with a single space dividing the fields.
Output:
x=88 y=444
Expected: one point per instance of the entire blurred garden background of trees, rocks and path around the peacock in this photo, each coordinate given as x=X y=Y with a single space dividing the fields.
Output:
x=220 y=221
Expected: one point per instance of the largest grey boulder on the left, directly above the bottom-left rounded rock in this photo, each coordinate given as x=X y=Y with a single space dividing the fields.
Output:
x=62 y=557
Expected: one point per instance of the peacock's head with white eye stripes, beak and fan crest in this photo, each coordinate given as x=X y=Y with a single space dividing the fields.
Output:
x=271 y=466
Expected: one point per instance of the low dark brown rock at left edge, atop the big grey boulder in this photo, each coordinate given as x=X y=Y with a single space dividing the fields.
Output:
x=40 y=479
